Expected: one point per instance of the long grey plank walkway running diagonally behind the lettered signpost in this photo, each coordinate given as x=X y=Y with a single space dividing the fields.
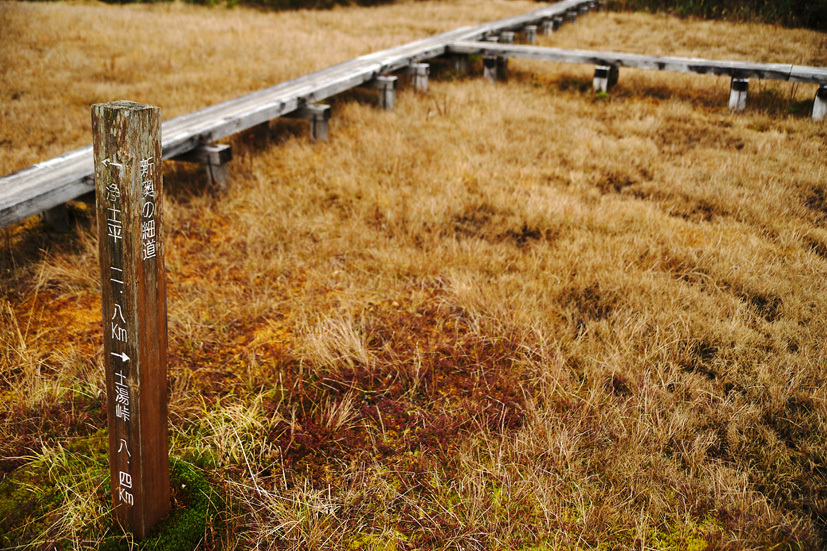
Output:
x=51 y=183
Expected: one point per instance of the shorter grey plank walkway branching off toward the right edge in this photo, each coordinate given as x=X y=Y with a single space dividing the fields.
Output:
x=735 y=69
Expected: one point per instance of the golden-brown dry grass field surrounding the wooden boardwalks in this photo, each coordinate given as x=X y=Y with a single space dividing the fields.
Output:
x=507 y=317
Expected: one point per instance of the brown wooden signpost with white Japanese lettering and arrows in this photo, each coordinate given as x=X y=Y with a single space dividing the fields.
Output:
x=128 y=188
